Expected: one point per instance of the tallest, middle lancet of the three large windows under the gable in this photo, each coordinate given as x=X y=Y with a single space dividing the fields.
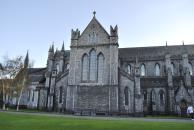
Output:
x=92 y=69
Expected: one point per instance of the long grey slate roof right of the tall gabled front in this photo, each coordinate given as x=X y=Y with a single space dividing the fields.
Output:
x=155 y=51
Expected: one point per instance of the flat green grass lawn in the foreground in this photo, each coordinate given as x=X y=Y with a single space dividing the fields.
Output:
x=12 y=121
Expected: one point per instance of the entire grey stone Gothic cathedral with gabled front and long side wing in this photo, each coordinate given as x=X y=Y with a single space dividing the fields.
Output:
x=96 y=77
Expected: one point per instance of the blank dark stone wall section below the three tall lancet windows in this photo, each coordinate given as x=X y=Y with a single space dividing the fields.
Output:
x=97 y=98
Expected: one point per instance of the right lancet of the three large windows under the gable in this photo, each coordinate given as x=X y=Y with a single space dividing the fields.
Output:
x=100 y=67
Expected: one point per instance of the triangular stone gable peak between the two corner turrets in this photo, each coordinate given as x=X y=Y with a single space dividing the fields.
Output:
x=94 y=33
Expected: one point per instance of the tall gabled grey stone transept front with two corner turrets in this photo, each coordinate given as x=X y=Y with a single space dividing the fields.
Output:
x=93 y=73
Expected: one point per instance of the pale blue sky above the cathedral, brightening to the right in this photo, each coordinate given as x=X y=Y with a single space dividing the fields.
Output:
x=34 y=25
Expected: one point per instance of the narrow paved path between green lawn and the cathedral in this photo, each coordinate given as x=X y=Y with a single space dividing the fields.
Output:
x=104 y=118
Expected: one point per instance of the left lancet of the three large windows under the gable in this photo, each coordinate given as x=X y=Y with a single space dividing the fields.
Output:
x=85 y=67
